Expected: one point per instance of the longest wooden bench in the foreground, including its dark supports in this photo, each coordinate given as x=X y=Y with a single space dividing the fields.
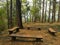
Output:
x=13 y=36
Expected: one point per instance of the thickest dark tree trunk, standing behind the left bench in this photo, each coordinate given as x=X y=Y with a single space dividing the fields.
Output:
x=19 y=16
